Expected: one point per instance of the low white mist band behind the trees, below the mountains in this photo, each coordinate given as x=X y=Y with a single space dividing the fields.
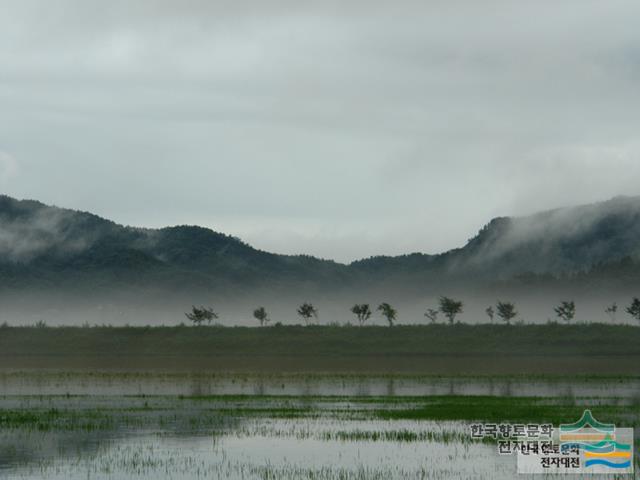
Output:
x=122 y=308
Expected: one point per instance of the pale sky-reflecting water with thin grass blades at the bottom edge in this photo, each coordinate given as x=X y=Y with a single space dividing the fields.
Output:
x=261 y=449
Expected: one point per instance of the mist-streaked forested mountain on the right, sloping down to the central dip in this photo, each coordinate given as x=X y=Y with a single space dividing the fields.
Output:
x=560 y=241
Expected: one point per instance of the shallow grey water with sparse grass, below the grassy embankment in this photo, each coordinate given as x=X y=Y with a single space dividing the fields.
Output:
x=134 y=426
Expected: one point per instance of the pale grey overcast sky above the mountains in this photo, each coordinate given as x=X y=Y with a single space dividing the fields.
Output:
x=384 y=127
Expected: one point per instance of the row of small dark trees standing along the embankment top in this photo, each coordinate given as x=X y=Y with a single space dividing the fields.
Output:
x=450 y=308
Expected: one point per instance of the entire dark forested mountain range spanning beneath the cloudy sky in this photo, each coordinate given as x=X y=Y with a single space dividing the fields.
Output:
x=47 y=248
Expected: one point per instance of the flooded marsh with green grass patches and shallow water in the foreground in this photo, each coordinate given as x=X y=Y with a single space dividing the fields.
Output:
x=118 y=435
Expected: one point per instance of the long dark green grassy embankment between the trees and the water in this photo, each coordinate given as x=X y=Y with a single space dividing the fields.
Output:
x=429 y=349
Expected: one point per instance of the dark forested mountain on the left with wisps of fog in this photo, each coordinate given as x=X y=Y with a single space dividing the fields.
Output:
x=46 y=246
